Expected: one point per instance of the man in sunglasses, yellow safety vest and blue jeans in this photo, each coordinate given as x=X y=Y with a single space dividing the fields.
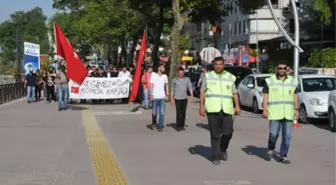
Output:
x=280 y=106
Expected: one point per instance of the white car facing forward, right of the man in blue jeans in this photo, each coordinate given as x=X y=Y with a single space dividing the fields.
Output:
x=313 y=93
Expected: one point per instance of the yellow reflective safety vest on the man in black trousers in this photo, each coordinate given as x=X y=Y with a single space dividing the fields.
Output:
x=219 y=94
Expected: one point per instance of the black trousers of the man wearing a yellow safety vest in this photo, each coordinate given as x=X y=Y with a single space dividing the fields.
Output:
x=221 y=130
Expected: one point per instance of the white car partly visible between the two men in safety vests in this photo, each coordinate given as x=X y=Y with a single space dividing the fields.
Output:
x=250 y=91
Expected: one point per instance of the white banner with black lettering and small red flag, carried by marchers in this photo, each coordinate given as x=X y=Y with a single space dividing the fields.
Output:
x=100 y=88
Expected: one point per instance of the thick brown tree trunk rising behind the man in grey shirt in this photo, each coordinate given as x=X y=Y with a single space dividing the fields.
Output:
x=179 y=21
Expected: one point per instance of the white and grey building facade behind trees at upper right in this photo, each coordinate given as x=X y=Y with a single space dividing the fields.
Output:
x=240 y=29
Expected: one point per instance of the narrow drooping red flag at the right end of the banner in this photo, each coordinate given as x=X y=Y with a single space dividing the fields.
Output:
x=137 y=75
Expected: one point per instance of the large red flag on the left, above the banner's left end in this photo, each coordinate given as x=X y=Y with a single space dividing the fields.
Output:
x=76 y=70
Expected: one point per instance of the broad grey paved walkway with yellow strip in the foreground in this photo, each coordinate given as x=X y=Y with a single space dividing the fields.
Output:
x=41 y=146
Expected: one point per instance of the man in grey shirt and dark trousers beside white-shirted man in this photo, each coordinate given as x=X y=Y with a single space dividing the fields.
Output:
x=179 y=96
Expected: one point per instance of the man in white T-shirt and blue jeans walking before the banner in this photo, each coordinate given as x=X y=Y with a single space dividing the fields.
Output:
x=159 y=91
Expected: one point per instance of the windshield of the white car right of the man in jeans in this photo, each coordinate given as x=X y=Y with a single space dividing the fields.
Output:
x=318 y=84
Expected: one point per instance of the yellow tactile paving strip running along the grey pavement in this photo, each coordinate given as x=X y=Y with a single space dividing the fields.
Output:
x=105 y=166
